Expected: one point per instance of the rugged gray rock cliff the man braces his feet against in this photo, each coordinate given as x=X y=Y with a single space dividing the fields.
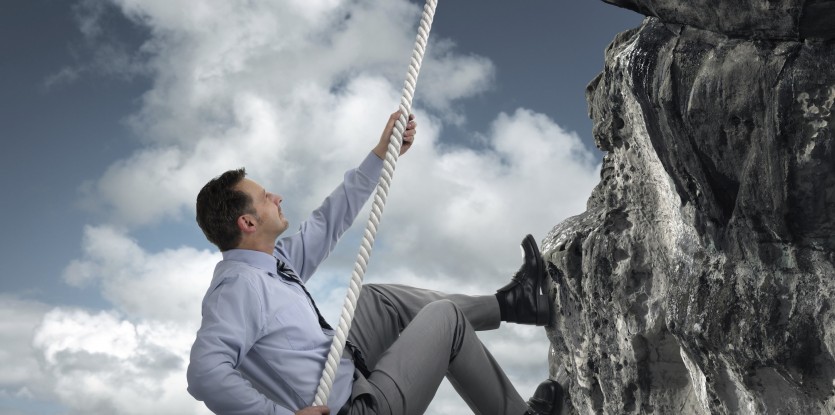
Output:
x=701 y=278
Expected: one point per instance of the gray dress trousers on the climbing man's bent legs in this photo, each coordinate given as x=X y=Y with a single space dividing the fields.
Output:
x=411 y=338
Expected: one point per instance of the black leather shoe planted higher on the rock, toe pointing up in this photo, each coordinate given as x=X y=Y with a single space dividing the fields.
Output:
x=525 y=299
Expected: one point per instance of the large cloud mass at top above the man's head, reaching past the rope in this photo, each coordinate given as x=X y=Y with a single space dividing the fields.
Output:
x=272 y=85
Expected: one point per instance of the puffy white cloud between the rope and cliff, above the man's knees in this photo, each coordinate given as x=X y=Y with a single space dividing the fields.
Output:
x=461 y=214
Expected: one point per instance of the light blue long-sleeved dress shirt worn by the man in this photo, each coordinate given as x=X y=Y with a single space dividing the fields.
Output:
x=260 y=349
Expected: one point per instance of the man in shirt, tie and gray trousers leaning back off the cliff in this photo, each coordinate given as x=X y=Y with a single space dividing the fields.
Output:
x=262 y=344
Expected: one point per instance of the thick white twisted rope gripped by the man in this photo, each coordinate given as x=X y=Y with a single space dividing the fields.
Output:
x=395 y=142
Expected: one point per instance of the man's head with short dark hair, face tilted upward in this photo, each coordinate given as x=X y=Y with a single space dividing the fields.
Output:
x=236 y=212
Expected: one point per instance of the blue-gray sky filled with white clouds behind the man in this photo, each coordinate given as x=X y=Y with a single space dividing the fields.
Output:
x=113 y=114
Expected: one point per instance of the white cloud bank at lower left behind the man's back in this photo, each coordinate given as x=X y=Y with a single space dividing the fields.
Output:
x=127 y=360
